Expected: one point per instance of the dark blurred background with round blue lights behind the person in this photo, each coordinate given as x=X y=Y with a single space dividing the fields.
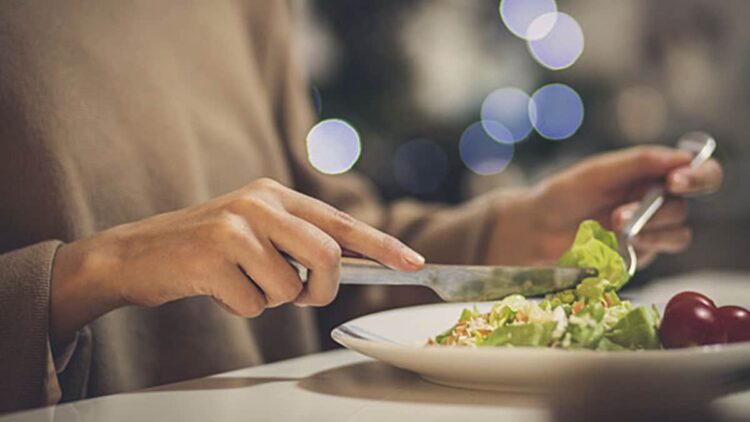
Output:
x=446 y=99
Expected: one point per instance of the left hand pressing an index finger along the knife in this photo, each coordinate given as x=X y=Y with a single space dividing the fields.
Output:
x=227 y=248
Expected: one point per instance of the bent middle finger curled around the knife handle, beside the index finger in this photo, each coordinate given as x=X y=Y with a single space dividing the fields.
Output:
x=318 y=252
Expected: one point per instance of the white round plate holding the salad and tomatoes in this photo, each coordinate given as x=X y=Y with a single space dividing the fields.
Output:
x=398 y=338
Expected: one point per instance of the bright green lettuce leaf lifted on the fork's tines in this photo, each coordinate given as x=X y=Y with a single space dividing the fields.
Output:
x=596 y=247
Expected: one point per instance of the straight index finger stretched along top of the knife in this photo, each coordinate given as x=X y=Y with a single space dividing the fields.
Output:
x=353 y=234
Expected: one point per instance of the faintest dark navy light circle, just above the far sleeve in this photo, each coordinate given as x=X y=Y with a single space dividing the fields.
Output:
x=420 y=166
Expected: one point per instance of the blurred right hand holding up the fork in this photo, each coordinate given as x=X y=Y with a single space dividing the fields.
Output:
x=538 y=225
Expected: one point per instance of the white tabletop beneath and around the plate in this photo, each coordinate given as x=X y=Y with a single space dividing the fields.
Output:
x=342 y=385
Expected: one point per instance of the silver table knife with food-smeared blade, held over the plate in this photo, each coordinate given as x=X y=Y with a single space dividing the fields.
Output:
x=463 y=283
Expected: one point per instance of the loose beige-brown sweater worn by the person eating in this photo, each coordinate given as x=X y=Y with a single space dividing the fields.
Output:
x=112 y=111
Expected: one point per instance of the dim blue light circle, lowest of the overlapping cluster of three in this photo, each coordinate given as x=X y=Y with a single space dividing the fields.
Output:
x=481 y=153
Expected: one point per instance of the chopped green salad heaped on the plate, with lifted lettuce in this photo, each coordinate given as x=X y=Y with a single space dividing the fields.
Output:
x=590 y=316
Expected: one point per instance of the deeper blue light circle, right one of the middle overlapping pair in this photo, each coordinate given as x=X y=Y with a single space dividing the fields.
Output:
x=556 y=111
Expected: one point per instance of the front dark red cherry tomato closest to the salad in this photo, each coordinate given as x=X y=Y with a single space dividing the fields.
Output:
x=691 y=323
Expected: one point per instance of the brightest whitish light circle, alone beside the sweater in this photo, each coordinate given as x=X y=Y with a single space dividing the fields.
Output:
x=333 y=146
